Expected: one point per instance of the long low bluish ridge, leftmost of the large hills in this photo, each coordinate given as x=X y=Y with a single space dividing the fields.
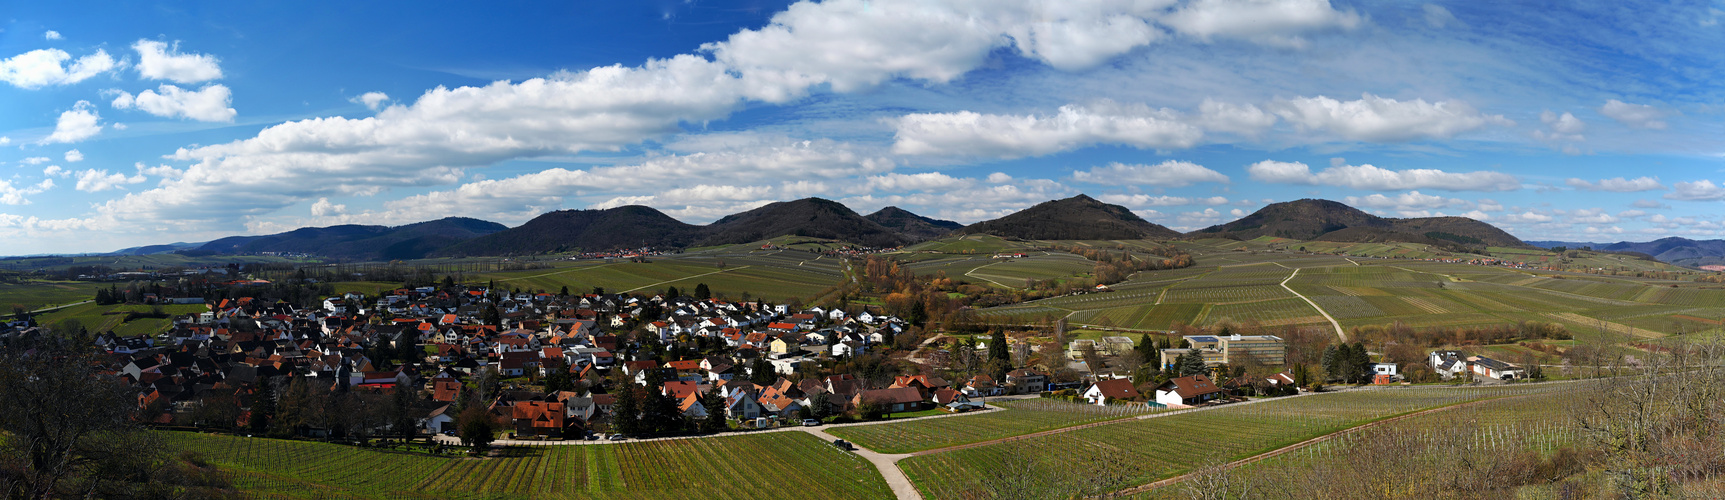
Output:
x=361 y=242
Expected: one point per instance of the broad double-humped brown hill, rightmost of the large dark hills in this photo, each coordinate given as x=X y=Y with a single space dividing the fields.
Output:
x=1331 y=222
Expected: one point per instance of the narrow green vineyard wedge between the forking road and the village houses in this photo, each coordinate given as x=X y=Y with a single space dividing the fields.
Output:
x=1015 y=420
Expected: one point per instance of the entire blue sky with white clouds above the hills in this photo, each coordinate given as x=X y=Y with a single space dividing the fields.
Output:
x=135 y=125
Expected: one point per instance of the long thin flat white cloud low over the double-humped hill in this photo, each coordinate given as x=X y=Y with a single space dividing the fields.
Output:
x=1383 y=180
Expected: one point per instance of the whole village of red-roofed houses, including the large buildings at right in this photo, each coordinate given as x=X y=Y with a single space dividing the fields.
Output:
x=553 y=366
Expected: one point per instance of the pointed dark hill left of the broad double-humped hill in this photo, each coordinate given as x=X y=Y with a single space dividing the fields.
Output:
x=1077 y=218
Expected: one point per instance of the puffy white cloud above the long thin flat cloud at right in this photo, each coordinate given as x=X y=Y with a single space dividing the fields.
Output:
x=1384 y=120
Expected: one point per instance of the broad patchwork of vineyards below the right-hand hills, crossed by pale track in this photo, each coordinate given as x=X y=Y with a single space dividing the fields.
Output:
x=1241 y=282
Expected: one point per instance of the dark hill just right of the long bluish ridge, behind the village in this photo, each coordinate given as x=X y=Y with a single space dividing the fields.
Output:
x=630 y=227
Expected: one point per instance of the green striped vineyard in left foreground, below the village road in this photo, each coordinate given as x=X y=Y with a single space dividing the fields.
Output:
x=753 y=466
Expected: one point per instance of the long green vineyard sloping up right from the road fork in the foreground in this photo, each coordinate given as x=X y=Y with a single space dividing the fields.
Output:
x=1169 y=446
